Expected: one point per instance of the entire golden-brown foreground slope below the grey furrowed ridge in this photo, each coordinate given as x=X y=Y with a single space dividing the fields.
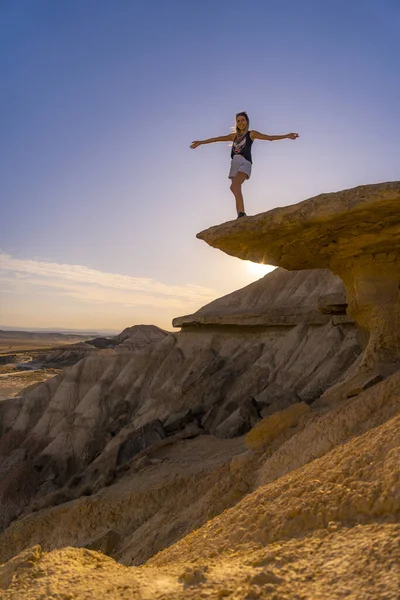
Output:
x=326 y=500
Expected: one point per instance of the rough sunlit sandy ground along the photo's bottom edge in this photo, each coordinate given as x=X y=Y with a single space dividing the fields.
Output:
x=358 y=563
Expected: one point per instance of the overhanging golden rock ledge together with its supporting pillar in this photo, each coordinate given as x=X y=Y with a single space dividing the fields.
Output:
x=354 y=233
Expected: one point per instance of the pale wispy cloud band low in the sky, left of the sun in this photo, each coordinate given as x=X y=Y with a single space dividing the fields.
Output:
x=90 y=285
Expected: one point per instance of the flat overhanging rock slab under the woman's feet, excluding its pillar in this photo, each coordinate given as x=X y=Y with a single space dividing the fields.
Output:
x=308 y=235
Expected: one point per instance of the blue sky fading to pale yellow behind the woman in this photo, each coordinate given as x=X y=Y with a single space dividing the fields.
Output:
x=101 y=196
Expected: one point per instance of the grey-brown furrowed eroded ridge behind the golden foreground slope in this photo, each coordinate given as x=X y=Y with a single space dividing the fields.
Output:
x=96 y=417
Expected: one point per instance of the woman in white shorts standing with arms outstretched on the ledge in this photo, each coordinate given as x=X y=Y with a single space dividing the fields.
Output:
x=242 y=140
